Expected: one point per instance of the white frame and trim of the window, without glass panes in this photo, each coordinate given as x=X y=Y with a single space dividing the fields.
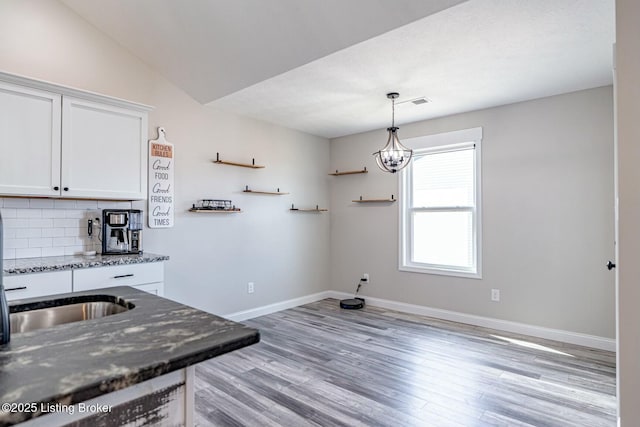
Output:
x=442 y=142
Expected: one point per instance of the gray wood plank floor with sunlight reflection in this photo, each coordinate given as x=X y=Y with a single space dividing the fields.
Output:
x=320 y=365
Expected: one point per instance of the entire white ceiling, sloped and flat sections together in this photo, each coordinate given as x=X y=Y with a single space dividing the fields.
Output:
x=324 y=66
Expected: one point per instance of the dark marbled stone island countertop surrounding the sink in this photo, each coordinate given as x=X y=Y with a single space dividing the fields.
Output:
x=74 y=362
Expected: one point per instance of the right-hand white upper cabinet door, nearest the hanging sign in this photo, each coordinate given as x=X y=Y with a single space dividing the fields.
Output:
x=103 y=151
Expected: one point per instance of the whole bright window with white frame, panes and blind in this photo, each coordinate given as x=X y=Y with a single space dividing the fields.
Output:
x=440 y=210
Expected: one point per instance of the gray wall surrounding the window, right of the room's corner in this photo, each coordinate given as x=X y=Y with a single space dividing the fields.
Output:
x=547 y=216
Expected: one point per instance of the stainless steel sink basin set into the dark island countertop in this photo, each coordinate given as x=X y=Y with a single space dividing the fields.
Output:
x=59 y=312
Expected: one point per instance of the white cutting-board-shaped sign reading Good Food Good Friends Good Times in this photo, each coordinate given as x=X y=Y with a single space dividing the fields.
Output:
x=161 y=164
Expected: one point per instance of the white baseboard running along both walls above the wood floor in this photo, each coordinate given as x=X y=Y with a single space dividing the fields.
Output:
x=454 y=316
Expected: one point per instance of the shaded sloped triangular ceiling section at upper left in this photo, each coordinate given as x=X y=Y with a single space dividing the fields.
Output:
x=212 y=48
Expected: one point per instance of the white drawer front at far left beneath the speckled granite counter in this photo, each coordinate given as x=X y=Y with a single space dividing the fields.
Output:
x=37 y=284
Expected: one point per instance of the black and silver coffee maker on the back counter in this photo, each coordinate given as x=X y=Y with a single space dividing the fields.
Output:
x=121 y=231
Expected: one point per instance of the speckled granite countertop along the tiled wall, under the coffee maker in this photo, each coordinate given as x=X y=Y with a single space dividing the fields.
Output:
x=56 y=263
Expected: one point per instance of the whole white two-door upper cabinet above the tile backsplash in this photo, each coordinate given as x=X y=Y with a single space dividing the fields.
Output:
x=62 y=142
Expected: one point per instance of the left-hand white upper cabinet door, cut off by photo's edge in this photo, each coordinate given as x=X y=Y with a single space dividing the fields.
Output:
x=29 y=141
